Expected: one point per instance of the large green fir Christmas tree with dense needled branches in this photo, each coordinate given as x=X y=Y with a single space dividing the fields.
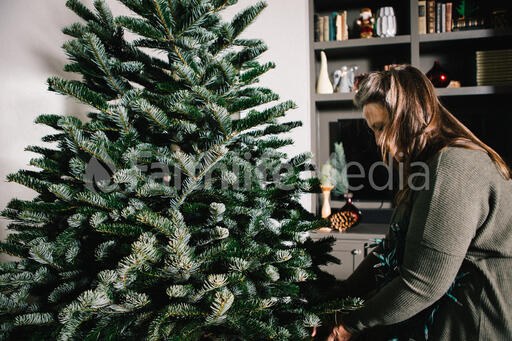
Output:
x=168 y=215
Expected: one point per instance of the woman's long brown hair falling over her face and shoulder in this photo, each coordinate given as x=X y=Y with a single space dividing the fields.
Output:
x=420 y=126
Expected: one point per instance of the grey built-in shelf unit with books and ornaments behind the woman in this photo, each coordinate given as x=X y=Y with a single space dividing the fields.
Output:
x=484 y=109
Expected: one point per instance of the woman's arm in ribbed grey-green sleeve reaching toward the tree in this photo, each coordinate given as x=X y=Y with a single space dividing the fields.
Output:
x=444 y=219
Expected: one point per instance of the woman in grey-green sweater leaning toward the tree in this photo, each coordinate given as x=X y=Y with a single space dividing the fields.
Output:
x=445 y=270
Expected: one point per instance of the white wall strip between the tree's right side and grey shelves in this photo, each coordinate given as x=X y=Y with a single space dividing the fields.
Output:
x=283 y=25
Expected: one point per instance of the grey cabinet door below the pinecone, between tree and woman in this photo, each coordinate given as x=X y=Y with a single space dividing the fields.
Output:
x=350 y=253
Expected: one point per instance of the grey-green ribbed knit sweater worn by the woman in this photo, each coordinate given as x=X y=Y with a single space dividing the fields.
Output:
x=461 y=224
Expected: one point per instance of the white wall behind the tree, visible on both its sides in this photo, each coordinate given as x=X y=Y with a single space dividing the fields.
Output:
x=30 y=52
